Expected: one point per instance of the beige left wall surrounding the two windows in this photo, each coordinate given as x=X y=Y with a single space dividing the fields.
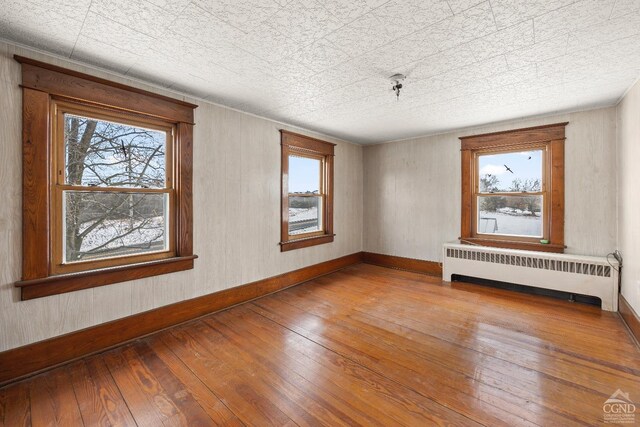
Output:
x=237 y=218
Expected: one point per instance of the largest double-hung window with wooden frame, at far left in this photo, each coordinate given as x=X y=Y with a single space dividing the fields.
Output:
x=107 y=182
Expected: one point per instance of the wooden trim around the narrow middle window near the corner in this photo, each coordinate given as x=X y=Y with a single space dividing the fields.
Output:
x=294 y=143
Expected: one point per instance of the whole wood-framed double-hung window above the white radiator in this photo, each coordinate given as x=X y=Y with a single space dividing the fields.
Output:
x=513 y=188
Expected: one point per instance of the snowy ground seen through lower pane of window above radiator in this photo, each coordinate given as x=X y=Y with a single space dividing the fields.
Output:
x=512 y=223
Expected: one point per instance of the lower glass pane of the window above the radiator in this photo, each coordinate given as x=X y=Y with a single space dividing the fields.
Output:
x=510 y=215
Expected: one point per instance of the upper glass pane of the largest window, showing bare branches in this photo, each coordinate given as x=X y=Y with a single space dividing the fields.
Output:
x=108 y=154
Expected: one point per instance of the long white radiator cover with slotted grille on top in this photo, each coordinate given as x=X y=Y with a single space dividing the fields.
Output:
x=576 y=274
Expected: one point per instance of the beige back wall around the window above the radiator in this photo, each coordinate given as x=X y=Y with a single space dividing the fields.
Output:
x=412 y=188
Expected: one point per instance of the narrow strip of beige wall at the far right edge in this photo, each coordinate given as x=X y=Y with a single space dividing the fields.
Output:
x=629 y=194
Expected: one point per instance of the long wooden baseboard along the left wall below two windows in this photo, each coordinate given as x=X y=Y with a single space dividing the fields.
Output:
x=28 y=360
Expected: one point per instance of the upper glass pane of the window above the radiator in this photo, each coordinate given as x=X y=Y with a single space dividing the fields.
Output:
x=516 y=171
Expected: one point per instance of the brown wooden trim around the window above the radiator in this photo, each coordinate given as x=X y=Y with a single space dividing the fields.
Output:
x=552 y=138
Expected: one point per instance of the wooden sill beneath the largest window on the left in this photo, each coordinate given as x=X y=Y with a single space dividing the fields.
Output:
x=63 y=283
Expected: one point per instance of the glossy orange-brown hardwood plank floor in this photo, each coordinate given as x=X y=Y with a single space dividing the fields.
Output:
x=366 y=345
